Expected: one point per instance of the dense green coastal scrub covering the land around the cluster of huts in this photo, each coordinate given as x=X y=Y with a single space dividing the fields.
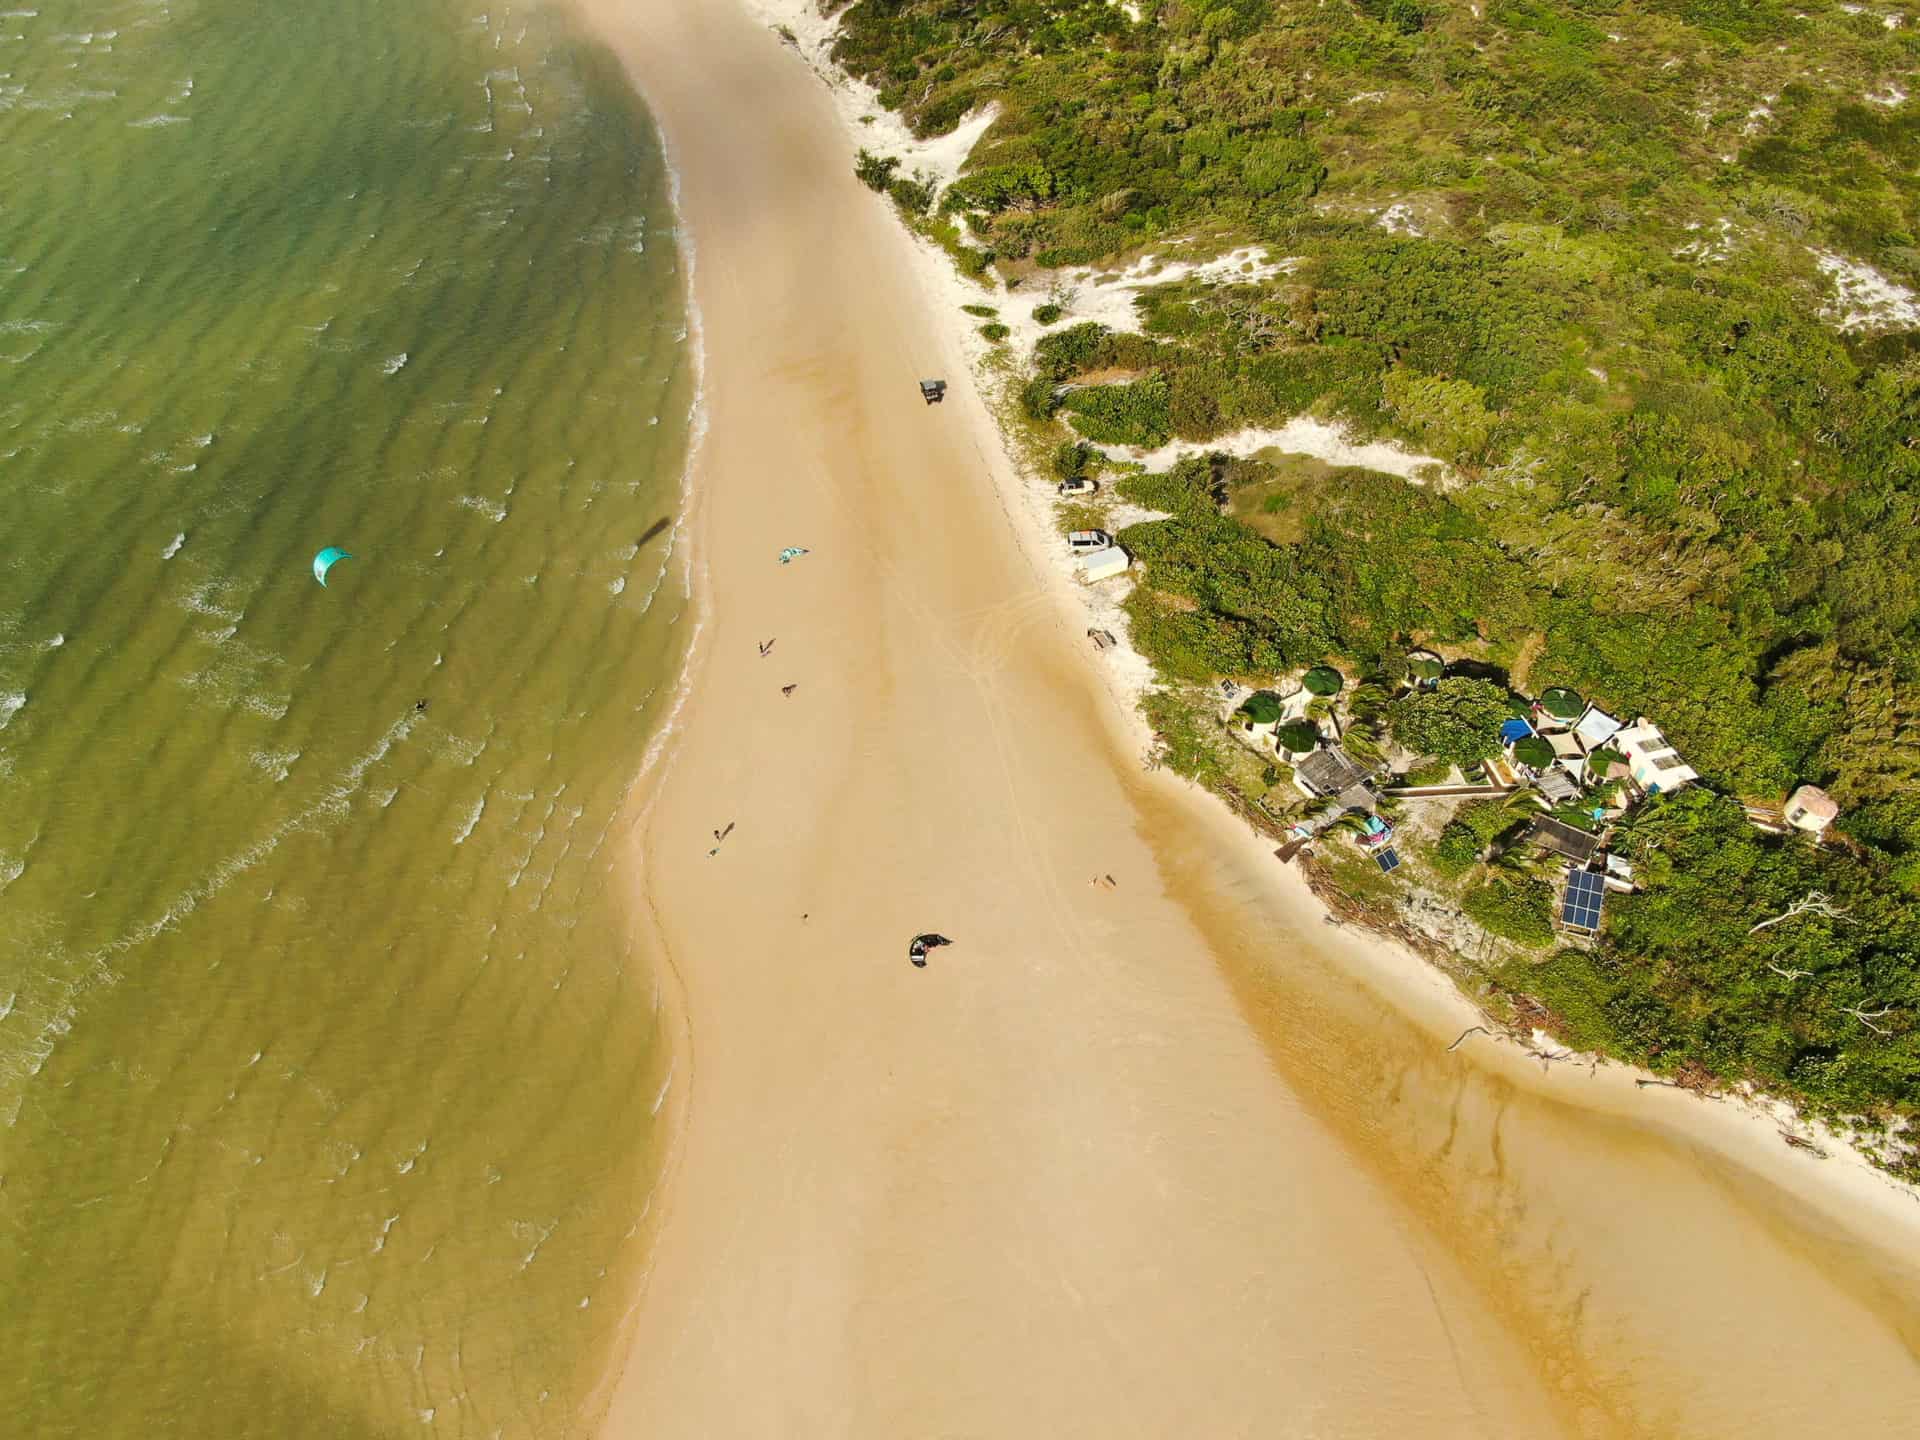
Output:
x=1675 y=487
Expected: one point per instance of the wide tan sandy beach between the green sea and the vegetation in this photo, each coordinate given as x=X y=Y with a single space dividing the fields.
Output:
x=1163 y=1157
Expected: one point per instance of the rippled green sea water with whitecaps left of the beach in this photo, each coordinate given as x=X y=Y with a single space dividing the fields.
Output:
x=327 y=1063
